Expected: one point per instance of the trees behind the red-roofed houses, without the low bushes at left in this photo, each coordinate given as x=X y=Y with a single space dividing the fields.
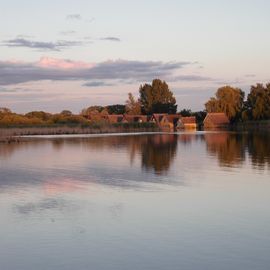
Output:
x=158 y=98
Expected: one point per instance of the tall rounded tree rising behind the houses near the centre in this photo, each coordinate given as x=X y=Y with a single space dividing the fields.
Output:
x=157 y=98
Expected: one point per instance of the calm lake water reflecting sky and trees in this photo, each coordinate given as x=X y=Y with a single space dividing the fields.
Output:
x=163 y=201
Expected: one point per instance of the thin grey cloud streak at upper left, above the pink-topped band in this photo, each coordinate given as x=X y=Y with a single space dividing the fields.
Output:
x=41 y=45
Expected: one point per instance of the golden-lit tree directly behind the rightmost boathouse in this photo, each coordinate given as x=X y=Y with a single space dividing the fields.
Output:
x=228 y=100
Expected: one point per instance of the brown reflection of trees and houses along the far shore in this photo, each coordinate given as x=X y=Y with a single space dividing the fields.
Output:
x=157 y=152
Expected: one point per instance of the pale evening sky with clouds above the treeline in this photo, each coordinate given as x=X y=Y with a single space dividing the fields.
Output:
x=71 y=54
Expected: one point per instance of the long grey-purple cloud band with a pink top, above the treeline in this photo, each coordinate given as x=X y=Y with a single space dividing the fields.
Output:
x=65 y=70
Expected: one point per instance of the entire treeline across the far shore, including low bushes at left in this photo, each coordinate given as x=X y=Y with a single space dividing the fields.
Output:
x=153 y=98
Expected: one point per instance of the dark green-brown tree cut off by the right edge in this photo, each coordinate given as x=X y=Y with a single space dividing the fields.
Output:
x=257 y=106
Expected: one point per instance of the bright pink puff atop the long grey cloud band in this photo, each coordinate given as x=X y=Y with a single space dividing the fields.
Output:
x=48 y=62
